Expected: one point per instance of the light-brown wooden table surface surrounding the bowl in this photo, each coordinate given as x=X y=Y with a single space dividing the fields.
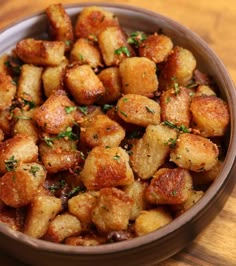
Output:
x=215 y=22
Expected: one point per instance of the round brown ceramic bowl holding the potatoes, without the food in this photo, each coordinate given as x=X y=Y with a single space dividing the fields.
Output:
x=165 y=242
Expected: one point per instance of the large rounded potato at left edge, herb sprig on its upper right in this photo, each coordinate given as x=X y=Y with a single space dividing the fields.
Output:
x=18 y=186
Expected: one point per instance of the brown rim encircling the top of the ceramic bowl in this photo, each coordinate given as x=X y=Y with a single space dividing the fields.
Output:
x=186 y=217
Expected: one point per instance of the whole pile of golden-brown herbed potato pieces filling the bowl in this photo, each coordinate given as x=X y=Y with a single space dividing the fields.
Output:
x=105 y=135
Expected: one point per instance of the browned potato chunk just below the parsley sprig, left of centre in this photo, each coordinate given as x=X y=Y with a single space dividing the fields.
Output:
x=59 y=154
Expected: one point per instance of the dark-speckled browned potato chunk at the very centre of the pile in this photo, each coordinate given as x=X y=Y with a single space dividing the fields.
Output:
x=101 y=130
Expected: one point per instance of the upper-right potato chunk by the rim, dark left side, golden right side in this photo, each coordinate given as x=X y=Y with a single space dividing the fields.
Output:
x=178 y=68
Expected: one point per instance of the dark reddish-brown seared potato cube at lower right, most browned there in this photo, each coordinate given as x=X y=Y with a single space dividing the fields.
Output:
x=169 y=186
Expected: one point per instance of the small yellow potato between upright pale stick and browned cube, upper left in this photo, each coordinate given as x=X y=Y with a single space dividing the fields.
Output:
x=53 y=77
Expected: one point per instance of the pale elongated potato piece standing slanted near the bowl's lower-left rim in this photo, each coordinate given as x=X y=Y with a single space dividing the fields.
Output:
x=42 y=210
